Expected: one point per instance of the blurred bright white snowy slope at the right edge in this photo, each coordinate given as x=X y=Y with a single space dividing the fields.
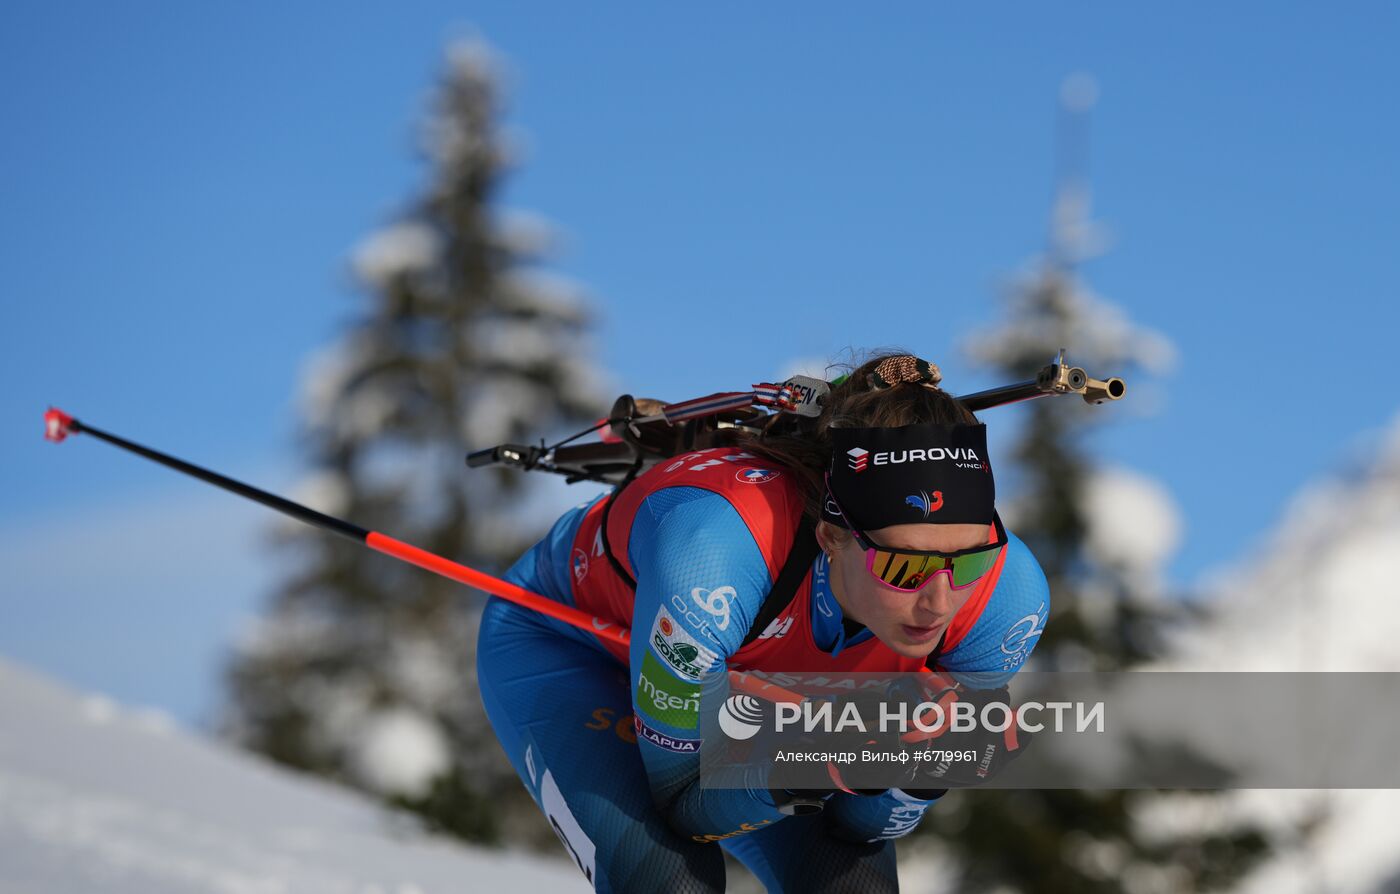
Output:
x=1319 y=594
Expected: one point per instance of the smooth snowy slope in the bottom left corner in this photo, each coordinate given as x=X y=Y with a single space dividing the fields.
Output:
x=97 y=798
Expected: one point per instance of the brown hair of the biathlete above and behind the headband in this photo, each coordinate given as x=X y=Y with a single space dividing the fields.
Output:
x=887 y=391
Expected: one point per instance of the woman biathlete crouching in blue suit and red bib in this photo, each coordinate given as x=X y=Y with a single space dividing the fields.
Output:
x=867 y=542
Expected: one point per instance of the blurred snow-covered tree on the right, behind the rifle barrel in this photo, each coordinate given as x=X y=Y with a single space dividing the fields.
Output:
x=1102 y=538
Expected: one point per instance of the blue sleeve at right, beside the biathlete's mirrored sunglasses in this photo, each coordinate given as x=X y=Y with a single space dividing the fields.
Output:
x=1010 y=625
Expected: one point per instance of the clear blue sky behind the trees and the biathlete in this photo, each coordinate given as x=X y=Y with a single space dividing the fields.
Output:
x=736 y=188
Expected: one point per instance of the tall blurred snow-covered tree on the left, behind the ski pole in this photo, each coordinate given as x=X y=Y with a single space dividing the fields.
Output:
x=363 y=668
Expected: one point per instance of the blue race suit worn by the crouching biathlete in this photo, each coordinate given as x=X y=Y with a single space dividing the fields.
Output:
x=607 y=744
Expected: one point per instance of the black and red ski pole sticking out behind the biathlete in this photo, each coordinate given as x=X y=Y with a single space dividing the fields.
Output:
x=59 y=426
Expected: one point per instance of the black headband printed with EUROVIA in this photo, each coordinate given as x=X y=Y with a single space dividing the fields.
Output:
x=916 y=474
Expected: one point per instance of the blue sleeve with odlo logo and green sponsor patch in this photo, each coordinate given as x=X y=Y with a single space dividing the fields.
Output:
x=701 y=583
